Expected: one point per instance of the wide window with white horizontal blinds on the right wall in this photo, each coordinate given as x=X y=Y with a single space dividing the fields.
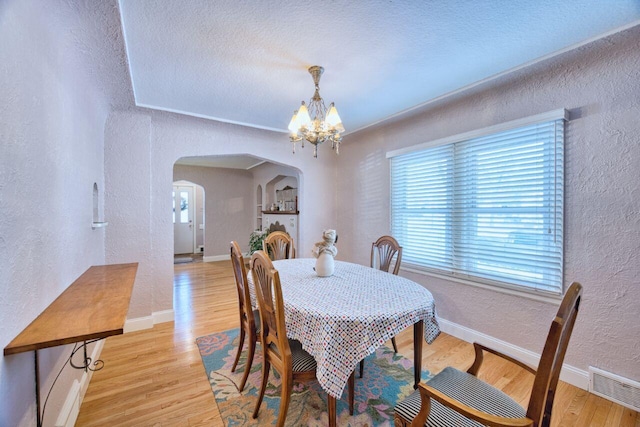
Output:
x=486 y=206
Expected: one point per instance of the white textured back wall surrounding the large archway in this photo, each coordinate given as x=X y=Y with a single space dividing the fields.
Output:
x=142 y=147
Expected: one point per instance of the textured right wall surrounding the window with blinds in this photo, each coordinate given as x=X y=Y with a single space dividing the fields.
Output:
x=600 y=85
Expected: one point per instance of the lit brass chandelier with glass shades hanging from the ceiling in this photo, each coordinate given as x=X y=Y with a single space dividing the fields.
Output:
x=326 y=125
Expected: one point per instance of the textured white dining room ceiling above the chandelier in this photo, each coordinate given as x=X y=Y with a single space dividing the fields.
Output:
x=246 y=62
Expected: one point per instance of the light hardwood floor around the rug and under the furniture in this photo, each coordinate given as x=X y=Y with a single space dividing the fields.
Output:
x=156 y=378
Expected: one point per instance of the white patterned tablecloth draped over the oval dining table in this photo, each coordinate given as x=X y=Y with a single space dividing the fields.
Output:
x=343 y=318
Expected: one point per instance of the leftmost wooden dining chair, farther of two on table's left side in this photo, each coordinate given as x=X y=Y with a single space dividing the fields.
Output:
x=249 y=318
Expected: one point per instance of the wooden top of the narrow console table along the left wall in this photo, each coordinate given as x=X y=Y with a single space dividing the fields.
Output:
x=94 y=306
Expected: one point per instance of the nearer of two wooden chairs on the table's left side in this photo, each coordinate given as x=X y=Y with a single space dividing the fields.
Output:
x=286 y=356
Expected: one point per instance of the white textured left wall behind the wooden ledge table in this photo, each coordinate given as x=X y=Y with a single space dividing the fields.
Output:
x=51 y=153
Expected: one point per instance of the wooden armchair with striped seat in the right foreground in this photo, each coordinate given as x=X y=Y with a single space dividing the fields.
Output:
x=459 y=398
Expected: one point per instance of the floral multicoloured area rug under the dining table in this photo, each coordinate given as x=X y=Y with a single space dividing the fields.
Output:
x=388 y=378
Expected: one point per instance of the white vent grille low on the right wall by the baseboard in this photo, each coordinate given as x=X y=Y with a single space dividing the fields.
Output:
x=615 y=388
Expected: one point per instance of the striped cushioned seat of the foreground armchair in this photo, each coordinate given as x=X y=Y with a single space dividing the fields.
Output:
x=467 y=389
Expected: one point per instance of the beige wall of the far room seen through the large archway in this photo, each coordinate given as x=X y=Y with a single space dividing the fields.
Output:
x=228 y=200
